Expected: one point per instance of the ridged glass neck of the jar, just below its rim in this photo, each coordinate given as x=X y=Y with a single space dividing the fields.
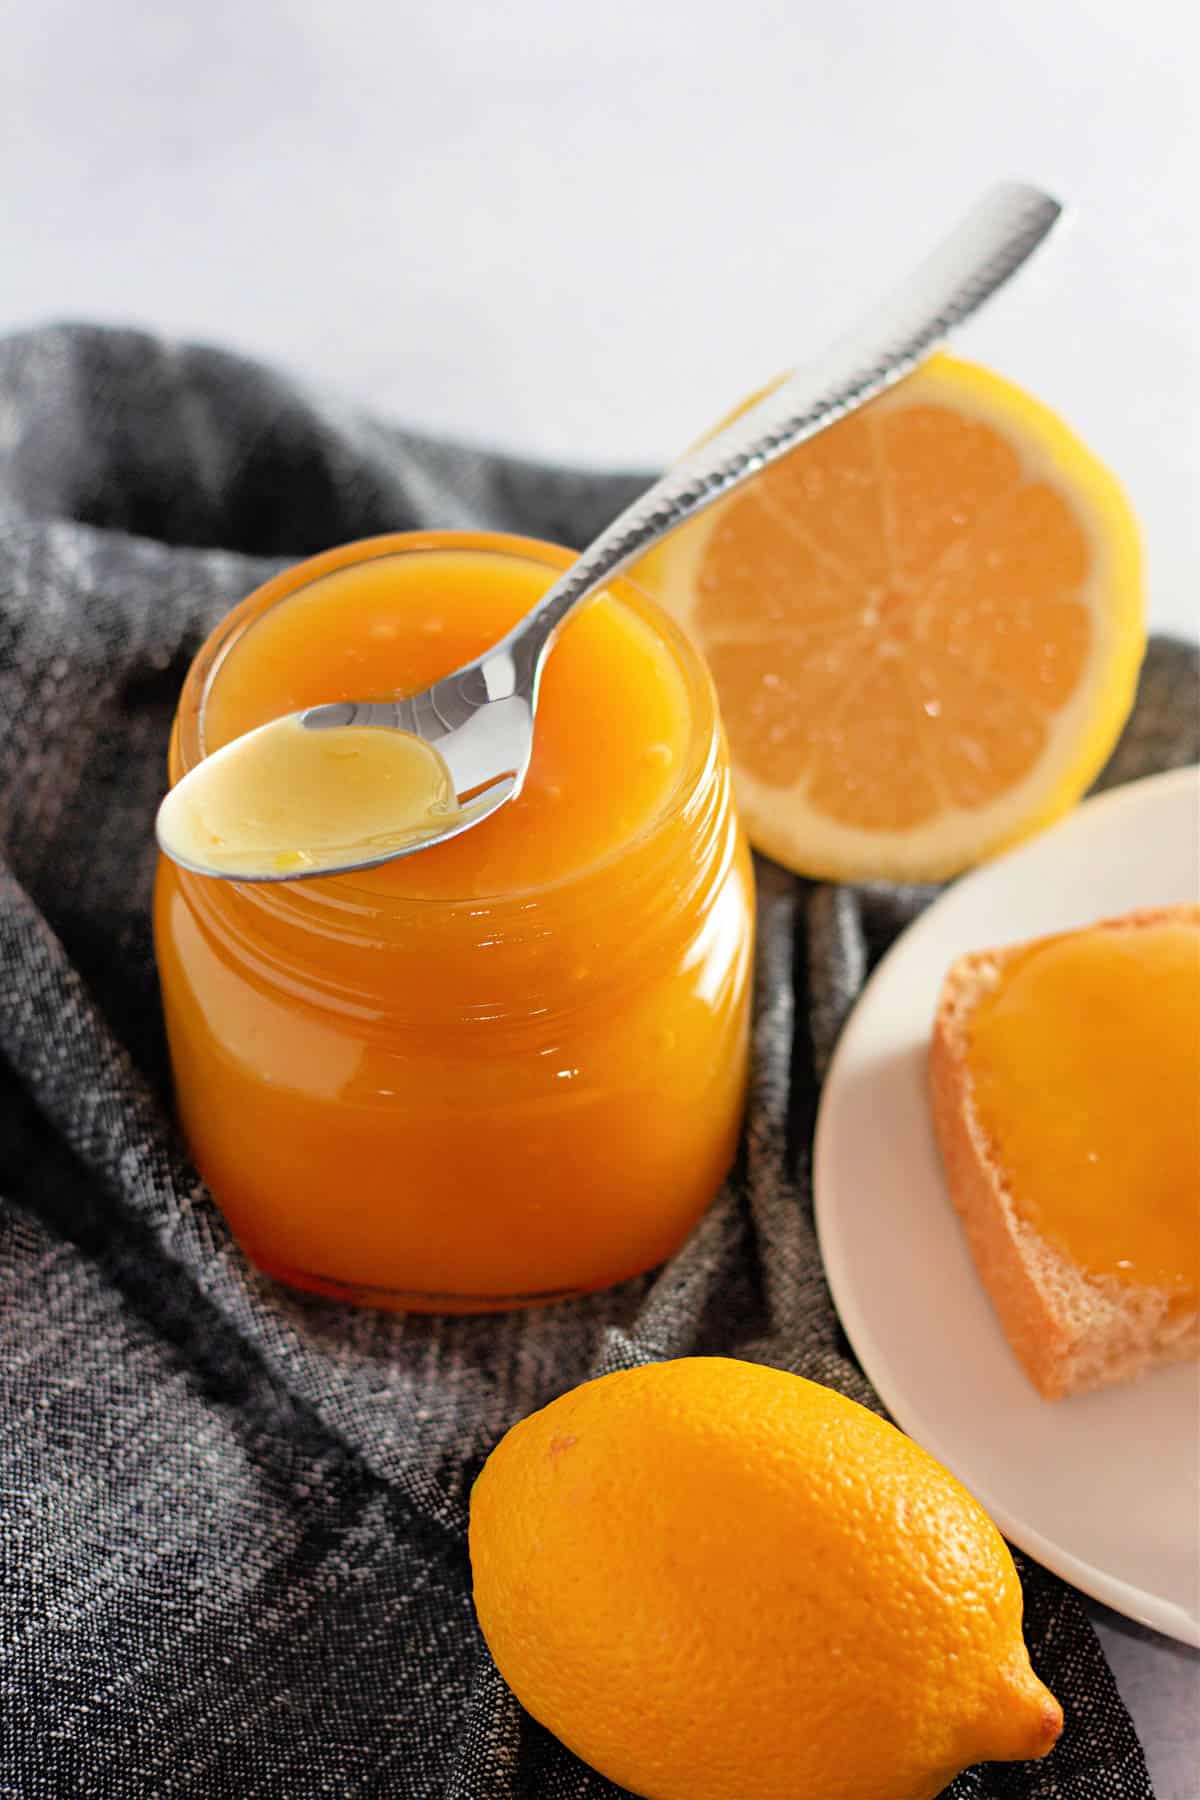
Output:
x=559 y=948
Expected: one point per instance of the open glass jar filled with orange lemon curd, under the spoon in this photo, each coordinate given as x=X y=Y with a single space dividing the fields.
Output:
x=505 y=1070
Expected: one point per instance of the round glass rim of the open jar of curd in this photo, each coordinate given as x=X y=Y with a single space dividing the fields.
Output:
x=343 y=894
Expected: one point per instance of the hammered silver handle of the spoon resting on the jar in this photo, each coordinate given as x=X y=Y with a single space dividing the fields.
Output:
x=989 y=246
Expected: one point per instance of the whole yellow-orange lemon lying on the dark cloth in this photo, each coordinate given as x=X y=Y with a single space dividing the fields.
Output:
x=715 y=1581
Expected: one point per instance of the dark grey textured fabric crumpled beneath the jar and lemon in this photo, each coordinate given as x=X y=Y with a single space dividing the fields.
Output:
x=233 y=1551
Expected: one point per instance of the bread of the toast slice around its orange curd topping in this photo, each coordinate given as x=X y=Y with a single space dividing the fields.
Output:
x=1073 y=1331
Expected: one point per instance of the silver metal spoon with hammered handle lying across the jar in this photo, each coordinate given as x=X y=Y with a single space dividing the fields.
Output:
x=481 y=719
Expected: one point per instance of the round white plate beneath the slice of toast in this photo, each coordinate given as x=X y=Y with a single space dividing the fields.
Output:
x=1104 y=1489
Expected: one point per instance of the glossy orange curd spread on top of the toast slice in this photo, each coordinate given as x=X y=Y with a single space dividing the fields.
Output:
x=1086 y=1063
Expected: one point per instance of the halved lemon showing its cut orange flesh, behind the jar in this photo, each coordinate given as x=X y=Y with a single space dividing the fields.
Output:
x=926 y=629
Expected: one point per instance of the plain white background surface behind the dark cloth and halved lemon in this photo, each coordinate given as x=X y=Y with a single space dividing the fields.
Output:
x=586 y=229
